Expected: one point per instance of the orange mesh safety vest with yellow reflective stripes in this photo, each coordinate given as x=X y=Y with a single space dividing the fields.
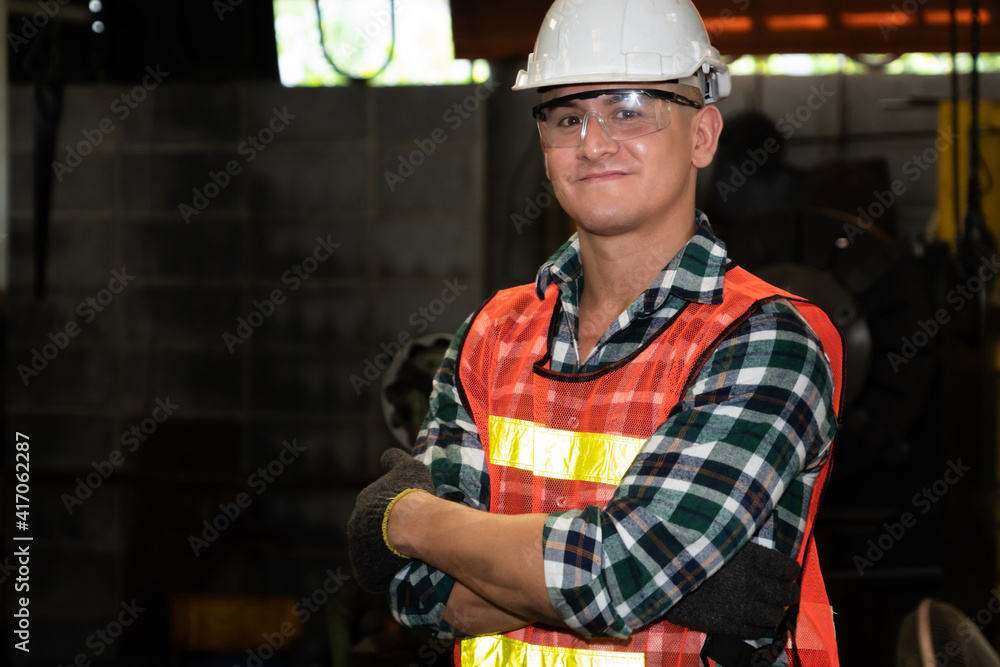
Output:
x=558 y=441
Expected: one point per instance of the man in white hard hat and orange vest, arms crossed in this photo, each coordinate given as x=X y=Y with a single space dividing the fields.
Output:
x=607 y=444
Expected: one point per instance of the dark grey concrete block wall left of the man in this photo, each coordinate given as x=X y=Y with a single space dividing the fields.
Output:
x=148 y=382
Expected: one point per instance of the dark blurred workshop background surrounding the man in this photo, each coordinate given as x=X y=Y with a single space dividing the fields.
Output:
x=208 y=275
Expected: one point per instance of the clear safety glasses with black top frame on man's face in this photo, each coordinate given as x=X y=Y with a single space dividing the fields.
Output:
x=624 y=113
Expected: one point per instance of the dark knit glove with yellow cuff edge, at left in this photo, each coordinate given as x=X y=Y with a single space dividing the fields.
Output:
x=374 y=560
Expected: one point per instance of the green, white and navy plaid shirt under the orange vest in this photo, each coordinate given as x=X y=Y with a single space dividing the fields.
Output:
x=761 y=410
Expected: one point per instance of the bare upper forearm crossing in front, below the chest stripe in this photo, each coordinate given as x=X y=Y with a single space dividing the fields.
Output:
x=497 y=557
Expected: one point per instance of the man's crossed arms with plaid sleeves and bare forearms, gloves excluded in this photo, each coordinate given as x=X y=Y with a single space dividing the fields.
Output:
x=730 y=462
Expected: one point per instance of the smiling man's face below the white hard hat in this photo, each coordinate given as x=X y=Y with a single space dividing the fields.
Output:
x=612 y=186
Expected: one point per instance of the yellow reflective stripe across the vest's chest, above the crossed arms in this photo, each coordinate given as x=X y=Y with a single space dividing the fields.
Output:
x=550 y=452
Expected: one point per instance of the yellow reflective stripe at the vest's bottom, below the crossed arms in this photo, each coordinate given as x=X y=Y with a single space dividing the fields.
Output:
x=500 y=651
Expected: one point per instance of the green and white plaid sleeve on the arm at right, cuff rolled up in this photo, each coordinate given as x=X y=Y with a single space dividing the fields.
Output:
x=736 y=459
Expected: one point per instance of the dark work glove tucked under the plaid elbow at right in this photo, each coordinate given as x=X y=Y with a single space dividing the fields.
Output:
x=746 y=598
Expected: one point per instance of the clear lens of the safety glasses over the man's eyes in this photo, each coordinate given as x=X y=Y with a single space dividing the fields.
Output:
x=621 y=115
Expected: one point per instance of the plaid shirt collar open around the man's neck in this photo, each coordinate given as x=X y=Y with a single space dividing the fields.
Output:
x=696 y=273
